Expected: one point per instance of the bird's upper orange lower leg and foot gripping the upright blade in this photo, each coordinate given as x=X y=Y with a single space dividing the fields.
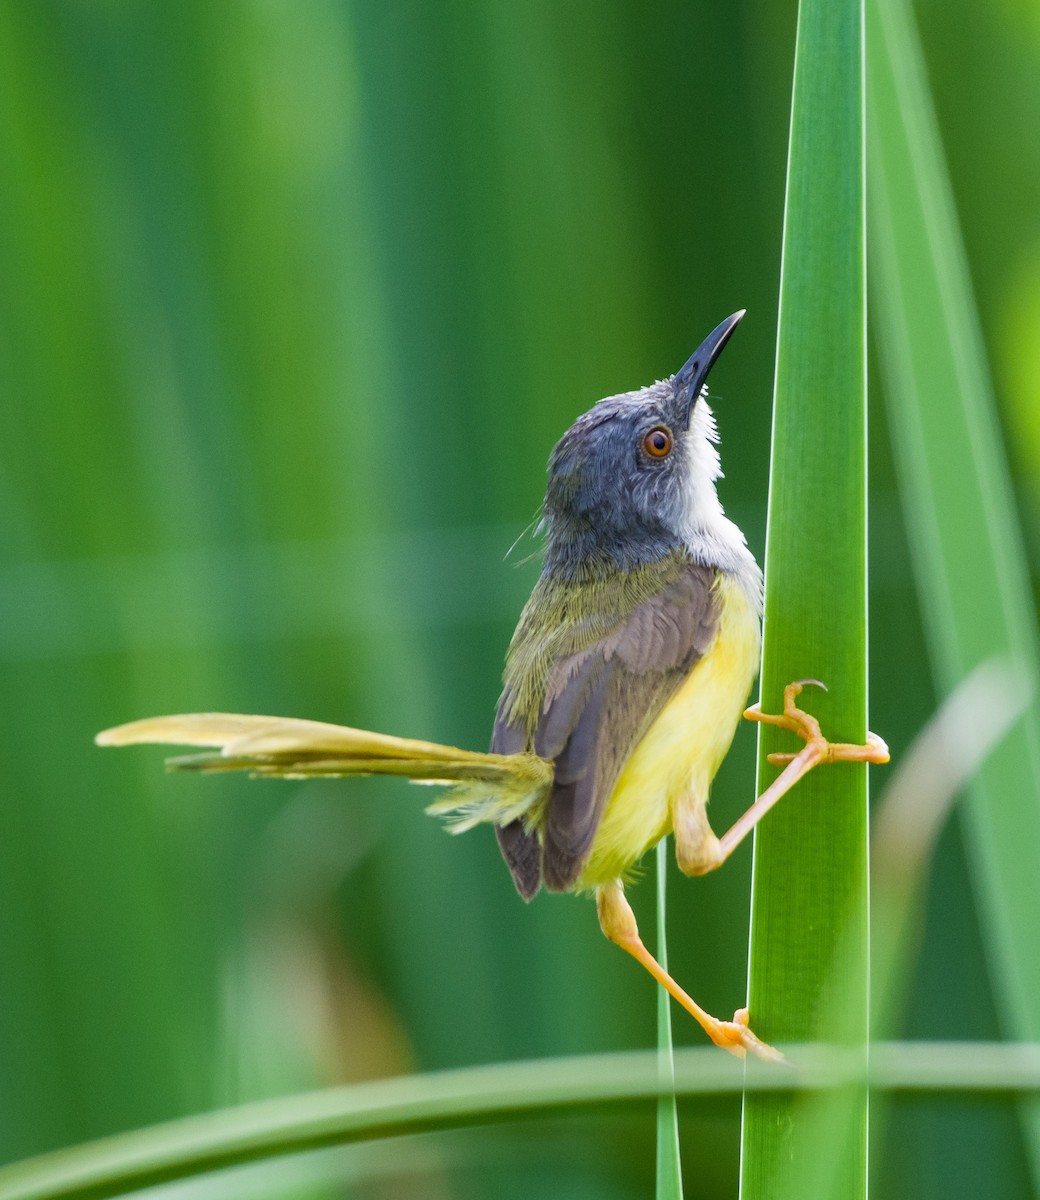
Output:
x=817 y=749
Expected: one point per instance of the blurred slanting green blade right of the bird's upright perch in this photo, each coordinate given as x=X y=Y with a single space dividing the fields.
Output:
x=961 y=519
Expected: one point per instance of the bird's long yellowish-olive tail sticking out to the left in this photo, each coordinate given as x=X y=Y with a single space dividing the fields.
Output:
x=485 y=788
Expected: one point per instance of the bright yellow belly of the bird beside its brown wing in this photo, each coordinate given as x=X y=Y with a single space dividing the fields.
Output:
x=683 y=749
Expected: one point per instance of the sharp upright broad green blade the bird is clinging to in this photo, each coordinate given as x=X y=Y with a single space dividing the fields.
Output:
x=810 y=877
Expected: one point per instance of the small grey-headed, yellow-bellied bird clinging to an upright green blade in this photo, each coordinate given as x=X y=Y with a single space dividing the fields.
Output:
x=624 y=682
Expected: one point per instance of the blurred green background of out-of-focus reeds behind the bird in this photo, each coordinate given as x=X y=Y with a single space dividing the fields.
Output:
x=296 y=298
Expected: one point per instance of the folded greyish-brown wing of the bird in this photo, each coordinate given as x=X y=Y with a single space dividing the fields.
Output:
x=599 y=703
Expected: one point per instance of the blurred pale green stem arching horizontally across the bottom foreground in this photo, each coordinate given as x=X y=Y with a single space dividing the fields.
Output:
x=448 y=1100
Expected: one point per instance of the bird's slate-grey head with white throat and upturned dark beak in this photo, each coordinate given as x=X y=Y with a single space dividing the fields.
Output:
x=634 y=479
